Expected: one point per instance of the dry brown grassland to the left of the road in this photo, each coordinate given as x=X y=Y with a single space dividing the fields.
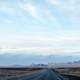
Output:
x=6 y=72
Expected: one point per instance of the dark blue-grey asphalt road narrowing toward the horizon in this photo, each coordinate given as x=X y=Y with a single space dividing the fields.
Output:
x=46 y=74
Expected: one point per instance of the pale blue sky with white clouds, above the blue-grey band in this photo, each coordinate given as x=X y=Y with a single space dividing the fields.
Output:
x=41 y=27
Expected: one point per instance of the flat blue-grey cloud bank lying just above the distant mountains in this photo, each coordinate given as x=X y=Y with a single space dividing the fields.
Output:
x=20 y=59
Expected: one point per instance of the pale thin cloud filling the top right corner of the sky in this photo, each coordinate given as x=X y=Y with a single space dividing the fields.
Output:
x=70 y=8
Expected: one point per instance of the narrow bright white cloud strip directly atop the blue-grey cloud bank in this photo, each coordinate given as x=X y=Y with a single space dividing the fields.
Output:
x=39 y=51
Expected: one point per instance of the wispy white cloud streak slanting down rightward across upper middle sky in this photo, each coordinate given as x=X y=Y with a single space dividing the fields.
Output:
x=42 y=14
